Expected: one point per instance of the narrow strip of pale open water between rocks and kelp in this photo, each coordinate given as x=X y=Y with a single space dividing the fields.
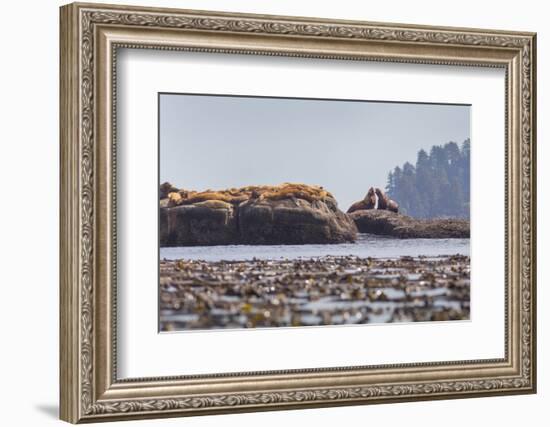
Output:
x=367 y=245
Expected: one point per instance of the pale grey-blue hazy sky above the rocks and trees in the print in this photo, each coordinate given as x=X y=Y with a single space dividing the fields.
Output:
x=218 y=142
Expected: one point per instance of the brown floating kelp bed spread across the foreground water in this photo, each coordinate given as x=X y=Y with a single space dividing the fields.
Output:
x=307 y=292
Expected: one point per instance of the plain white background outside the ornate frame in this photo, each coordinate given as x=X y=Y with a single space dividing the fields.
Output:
x=29 y=171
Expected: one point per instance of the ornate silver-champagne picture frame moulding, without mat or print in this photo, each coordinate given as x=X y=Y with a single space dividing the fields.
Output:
x=91 y=36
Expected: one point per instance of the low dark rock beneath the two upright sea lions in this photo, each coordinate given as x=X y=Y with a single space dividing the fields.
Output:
x=388 y=223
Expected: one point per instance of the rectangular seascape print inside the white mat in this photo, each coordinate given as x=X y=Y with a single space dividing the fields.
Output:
x=299 y=212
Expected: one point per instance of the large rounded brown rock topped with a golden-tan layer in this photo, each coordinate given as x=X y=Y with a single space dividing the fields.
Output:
x=283 y=214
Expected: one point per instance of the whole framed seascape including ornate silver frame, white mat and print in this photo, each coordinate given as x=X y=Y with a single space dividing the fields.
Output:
x=266 y=212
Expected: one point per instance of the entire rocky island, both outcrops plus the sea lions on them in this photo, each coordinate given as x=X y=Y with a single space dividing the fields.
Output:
x=287 y=214
